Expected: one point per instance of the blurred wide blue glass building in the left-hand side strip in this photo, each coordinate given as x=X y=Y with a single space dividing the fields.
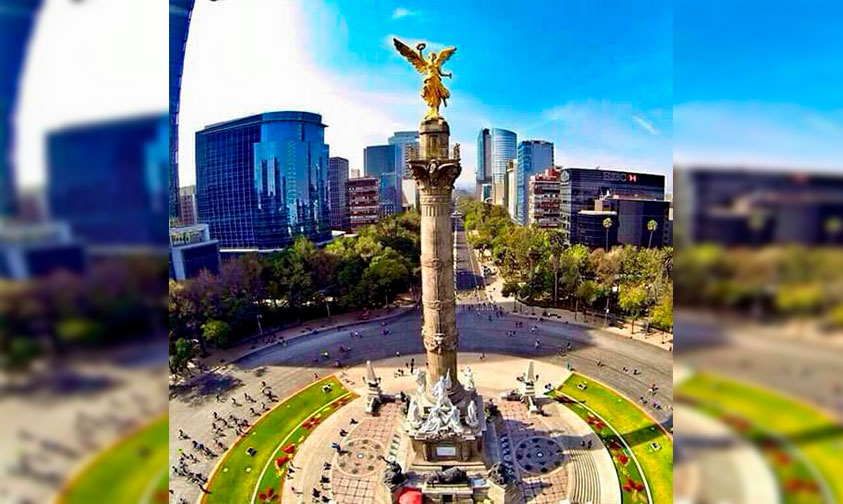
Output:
x=108 y=181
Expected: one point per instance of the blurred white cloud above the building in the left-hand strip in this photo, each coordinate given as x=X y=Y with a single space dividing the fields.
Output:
x=88 y=62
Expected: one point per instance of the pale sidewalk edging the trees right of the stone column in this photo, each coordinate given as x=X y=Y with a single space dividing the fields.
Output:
x=655 y=338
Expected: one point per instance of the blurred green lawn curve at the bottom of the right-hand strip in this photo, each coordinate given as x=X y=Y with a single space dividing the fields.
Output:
x=799 y=432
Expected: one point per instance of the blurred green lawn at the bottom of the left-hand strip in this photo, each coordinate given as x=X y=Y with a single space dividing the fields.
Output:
x=131 y=471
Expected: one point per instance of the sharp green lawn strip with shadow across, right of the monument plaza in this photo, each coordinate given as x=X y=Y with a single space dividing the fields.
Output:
x=636 y=428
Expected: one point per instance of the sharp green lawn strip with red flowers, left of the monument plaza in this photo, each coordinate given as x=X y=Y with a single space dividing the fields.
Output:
x=237 y=477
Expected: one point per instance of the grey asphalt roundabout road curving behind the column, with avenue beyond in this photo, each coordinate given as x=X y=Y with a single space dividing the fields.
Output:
x=289 y=368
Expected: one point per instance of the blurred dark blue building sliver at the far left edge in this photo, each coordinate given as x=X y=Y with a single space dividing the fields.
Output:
x=16 y=21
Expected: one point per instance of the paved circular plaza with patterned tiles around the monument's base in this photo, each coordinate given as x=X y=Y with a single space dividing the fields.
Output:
x=551 y=453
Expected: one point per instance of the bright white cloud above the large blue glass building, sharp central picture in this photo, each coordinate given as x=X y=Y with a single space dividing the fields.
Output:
x=222 y=82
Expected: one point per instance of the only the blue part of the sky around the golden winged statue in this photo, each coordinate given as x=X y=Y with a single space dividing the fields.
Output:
x=593 y=77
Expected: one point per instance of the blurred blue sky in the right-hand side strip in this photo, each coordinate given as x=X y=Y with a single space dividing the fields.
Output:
x=759 y=84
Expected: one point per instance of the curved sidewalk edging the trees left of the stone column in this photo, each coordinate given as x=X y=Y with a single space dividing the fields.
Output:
x=221 y=357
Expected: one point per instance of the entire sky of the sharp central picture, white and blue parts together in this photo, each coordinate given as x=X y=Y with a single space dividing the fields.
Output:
x=595 y=78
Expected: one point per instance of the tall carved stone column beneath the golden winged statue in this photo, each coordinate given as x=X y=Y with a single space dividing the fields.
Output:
x=435 y=174
